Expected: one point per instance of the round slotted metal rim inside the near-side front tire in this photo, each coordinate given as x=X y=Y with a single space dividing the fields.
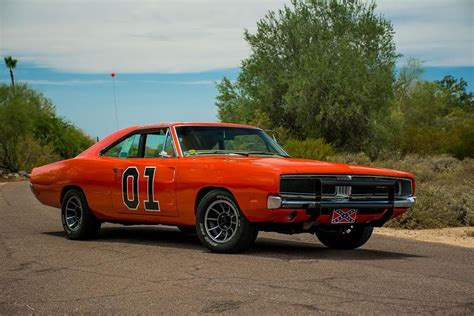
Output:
x=221 y=221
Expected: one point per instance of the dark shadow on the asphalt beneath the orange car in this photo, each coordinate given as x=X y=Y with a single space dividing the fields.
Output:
x=281 y=249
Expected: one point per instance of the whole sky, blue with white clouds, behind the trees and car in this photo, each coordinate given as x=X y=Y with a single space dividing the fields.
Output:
x=169 y=54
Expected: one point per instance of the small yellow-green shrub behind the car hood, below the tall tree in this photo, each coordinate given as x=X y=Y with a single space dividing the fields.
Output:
x=309 y=148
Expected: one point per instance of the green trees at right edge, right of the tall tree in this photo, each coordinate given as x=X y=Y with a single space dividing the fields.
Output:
x=432 y=117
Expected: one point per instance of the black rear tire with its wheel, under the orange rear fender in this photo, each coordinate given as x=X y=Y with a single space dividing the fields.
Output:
x=74 y=203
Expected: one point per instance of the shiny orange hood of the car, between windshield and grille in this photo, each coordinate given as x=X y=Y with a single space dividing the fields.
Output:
x=306 y=166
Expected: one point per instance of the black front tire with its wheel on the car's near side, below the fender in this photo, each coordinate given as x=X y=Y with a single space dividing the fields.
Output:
x=242 y=232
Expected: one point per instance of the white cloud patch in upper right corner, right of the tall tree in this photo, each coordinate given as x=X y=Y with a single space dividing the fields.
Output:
x=439 y=32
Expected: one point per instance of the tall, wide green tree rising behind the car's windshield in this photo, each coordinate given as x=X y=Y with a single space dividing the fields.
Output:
x=317 y=69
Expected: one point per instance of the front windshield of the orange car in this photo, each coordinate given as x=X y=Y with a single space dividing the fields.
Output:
x=219 y=140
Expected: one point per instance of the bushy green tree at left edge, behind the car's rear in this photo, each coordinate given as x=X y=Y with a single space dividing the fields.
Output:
x=31 y=133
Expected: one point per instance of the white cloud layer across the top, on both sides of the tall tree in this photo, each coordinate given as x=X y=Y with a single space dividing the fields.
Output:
x=181 y=36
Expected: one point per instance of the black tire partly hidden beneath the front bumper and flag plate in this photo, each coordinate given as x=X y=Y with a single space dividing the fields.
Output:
x=342 y=239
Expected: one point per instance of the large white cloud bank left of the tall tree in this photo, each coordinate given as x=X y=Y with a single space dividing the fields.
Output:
x=130 y=36
